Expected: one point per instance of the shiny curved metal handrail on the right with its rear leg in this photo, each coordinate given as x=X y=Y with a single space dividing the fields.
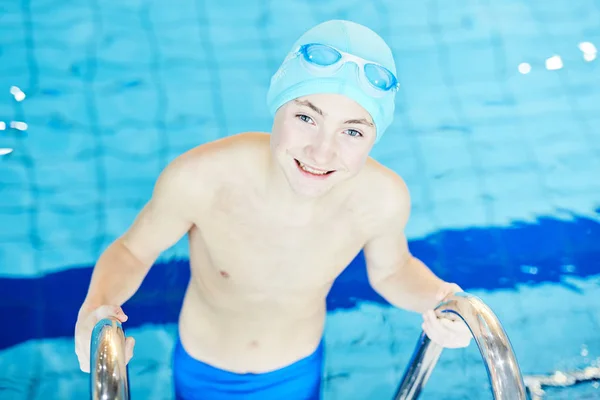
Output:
x=497 y=353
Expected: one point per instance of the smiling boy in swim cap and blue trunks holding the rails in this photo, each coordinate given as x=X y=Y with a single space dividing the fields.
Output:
x=272 y=220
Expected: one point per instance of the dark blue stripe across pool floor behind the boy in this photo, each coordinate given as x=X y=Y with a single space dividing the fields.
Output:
x=486 y=258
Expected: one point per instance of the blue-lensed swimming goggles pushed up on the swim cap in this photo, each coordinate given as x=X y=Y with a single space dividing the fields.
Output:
x=322 y=59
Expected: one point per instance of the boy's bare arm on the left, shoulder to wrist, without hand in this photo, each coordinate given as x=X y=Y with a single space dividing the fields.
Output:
x=166 y=218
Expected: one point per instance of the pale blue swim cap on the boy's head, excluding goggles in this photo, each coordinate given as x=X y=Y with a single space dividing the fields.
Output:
x=293 y=79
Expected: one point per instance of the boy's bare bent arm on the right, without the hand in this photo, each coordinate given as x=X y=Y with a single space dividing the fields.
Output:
x=401 y=279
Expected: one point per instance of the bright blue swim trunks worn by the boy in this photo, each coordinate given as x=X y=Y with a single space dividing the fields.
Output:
x=196 y=380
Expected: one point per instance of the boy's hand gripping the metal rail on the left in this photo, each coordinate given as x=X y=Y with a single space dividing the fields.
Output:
x=86 y=321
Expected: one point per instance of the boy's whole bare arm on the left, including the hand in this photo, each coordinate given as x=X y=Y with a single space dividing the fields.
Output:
x=121 y=269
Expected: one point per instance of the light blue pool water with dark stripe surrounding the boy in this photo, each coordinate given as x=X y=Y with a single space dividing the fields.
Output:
x=496 y=135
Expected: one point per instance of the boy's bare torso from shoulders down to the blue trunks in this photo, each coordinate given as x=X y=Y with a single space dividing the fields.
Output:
x=259 y=279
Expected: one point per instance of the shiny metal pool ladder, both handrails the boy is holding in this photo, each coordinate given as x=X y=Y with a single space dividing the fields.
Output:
x=109 y=378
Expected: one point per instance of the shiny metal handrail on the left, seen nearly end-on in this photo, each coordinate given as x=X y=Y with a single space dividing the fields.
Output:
x=108 y=370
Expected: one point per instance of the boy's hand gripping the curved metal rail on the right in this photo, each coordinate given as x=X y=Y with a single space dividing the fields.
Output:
x=449 y=331
